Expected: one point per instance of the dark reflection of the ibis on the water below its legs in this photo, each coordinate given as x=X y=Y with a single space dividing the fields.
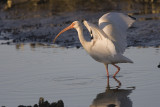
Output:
x=113 y=97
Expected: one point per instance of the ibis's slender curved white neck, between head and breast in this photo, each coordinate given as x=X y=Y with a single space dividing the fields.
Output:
x=81 y=37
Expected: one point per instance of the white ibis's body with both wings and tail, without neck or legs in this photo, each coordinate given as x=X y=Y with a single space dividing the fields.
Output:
x=109 y=39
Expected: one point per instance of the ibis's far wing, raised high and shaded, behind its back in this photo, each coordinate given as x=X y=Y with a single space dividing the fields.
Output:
x=115 y=25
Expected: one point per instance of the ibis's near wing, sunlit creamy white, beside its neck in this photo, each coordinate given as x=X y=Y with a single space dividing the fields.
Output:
x=100 y=39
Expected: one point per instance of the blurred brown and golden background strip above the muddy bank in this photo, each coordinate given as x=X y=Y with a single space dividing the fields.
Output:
x=45 y=8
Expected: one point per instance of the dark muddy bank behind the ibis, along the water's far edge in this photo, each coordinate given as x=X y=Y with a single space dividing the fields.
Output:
x=142 y=33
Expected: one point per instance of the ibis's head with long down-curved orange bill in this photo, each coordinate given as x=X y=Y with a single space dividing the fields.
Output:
x=75 y=25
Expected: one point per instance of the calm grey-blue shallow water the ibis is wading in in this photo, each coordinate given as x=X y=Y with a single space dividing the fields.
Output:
x=29 y=72
